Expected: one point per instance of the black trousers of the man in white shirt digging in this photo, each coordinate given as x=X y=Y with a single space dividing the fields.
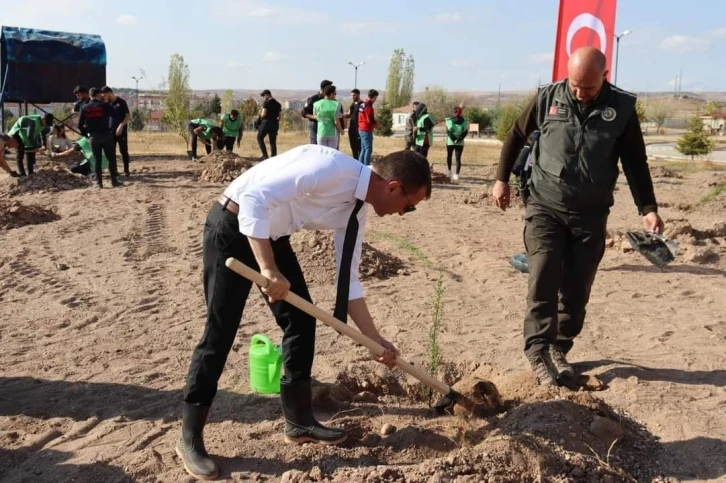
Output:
x=226 y=293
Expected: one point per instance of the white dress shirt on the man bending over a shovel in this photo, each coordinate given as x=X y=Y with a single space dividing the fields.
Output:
x=310 y=187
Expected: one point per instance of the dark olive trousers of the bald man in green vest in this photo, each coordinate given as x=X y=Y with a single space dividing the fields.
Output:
x=563 y=253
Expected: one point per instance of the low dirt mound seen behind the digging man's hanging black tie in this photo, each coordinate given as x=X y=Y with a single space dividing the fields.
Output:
x=316 y=254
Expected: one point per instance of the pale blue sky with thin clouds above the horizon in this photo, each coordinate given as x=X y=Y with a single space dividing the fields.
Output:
x=471 y=45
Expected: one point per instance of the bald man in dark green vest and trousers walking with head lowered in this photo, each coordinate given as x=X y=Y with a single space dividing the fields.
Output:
x=586 y=124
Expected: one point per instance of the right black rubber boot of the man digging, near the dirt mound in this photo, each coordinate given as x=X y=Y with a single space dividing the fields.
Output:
x=300 y=423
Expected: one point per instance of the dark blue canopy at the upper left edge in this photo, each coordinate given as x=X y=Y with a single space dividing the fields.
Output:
x=42 y=66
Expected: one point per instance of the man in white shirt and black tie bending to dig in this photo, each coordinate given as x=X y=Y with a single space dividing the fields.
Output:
x=309 y=187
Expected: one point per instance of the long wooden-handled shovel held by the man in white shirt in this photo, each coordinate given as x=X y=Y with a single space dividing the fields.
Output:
x=450 y=396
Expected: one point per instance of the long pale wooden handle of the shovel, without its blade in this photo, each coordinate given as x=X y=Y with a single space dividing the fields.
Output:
x=314 y=311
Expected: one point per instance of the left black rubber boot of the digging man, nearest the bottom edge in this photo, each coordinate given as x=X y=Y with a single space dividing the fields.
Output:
x=190 y=447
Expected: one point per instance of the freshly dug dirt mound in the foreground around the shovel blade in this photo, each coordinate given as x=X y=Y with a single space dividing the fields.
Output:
x=544 y=434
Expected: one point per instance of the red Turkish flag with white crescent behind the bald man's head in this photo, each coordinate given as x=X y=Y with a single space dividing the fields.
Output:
x=583 y=23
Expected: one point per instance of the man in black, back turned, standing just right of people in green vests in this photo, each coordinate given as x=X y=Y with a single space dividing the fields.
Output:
x=95 y=123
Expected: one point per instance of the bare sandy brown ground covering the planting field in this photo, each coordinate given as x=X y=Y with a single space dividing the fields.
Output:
x=102 y=307
